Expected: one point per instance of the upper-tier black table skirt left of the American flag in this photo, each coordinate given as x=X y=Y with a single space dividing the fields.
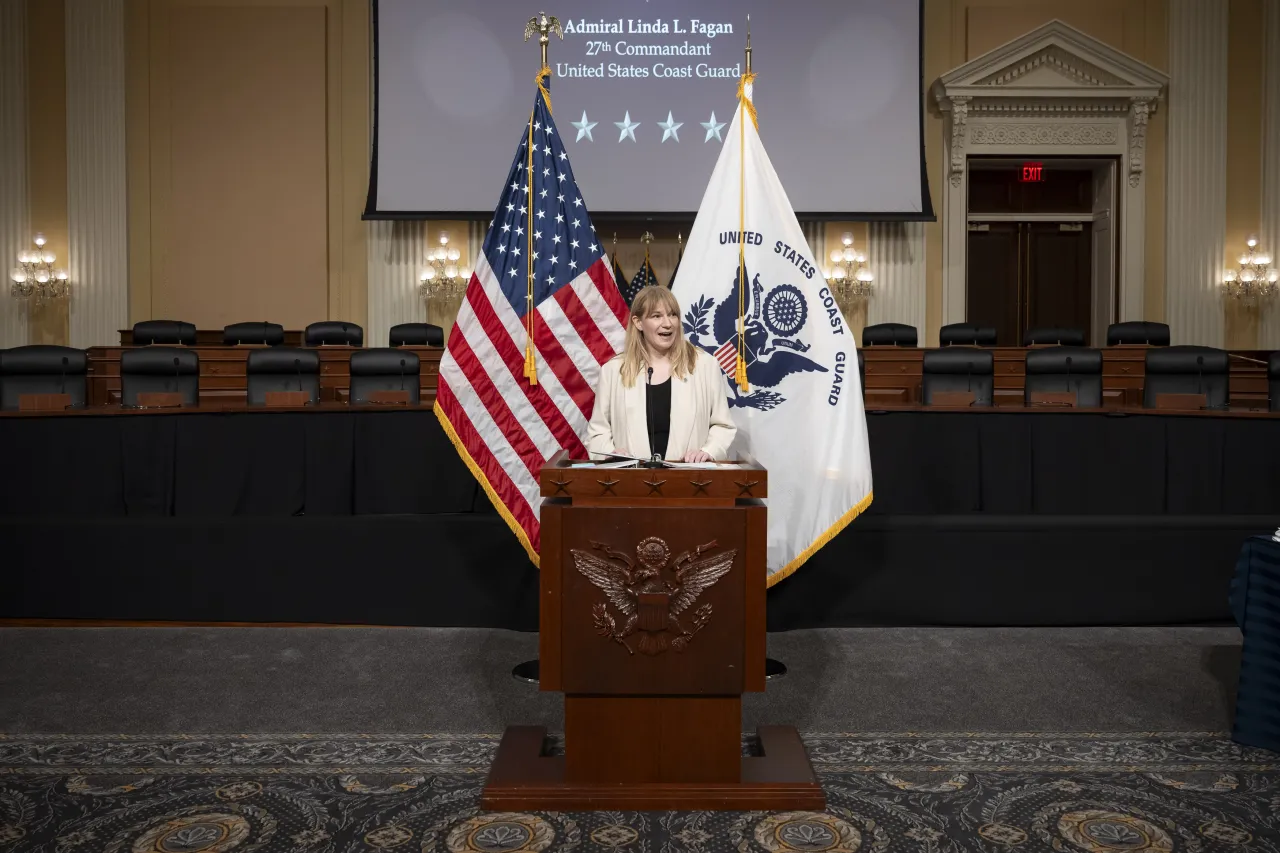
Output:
x=262 y=464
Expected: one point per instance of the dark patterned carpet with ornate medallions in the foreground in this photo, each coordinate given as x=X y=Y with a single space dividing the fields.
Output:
x=888 y=793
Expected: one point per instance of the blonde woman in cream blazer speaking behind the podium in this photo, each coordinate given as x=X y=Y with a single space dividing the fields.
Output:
x=661 y=386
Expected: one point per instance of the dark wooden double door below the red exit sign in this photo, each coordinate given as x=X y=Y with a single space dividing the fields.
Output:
x=1030 y=275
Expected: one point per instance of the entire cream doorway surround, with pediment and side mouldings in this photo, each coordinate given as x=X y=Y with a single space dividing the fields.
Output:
x=1054 y=92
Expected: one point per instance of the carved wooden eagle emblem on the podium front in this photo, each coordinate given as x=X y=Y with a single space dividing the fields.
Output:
x=648 y=603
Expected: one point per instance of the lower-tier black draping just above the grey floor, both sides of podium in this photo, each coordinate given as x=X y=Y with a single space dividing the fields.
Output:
x=468 y=571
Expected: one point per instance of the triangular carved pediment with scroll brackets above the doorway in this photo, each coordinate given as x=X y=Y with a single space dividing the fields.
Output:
x=1053 y=86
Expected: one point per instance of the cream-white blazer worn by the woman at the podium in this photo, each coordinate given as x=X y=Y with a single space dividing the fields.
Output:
x=700 y=413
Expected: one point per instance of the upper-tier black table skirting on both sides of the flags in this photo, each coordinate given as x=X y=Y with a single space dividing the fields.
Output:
x=374 y=463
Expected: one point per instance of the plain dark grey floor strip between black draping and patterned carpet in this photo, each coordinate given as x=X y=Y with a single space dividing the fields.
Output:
x=281 y=681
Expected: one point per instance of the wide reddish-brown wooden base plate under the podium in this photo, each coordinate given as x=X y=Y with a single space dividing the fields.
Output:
x=525 y=779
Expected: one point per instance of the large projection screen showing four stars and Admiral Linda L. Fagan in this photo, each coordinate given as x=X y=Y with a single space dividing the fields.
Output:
x=643 y=94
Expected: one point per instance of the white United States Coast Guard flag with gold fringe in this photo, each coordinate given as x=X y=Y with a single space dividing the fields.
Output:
x=755 y=299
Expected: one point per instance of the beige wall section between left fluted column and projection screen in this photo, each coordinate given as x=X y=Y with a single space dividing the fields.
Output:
x=248 y=143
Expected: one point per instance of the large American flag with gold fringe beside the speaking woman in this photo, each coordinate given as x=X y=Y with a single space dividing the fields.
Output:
x=505 y=425
